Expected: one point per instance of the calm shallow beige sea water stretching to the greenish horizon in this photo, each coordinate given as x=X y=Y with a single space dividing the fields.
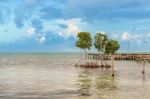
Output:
x=54 y=76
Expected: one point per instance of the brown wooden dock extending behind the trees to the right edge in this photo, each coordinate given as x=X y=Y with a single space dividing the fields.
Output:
x=121 y=56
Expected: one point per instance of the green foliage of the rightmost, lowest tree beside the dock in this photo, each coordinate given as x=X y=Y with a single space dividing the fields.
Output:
x=111 y=47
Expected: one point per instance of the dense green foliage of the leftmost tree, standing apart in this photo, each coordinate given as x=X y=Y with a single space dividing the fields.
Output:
x=84 y=40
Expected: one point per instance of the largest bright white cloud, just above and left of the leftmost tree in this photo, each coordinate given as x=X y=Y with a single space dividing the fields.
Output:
x=70 y=27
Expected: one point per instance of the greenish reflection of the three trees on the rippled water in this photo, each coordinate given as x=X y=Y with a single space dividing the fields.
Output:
x=90 y=84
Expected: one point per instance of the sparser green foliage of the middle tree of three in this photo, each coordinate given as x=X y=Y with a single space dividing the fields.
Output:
x=100 y=40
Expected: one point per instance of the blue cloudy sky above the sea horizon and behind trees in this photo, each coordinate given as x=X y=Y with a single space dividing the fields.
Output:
x=52 y=25
